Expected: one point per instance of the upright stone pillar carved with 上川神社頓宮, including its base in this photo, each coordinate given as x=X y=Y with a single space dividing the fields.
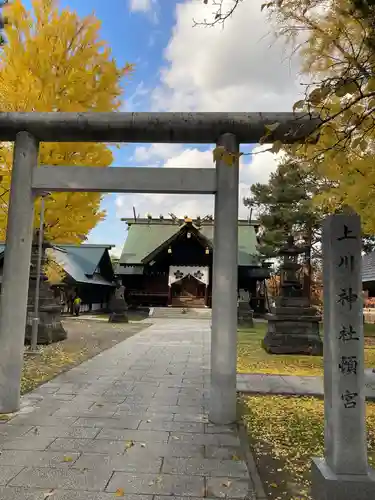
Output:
x=343 y=473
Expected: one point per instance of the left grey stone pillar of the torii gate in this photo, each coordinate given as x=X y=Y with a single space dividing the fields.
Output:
x=16 y=271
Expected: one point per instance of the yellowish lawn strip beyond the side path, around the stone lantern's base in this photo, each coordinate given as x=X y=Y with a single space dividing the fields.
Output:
x=253 y=359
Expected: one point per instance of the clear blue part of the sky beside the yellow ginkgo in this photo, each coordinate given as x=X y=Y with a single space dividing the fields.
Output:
x=133 y=37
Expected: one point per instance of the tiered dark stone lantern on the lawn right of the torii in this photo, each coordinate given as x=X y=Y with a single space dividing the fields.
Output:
x=293 y=325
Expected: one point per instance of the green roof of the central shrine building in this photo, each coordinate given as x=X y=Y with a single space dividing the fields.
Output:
x=146 y=235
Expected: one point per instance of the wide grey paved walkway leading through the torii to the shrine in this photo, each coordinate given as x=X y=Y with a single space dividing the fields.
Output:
x=132 y=420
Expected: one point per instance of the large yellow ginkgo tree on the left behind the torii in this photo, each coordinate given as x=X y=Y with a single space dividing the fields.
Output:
x=53 y=60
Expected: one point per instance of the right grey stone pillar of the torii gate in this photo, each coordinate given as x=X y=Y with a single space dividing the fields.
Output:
x=223 y=397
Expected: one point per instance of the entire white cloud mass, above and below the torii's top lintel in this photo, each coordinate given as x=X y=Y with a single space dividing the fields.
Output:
x=239 y=68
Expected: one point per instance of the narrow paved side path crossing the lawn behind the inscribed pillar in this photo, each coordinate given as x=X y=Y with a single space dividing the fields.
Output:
x=256 y=383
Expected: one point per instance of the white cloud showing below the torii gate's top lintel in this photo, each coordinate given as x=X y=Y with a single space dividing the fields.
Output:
x=256 y=169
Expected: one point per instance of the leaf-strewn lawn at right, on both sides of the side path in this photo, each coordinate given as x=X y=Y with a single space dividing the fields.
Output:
x=285 y=432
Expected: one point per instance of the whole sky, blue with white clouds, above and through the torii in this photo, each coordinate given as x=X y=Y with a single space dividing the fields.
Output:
x=181 y=68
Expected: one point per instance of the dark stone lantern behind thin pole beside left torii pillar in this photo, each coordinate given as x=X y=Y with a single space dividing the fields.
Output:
x=50 y=328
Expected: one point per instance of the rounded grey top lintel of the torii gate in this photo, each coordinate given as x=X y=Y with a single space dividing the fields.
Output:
x=188 y=128
